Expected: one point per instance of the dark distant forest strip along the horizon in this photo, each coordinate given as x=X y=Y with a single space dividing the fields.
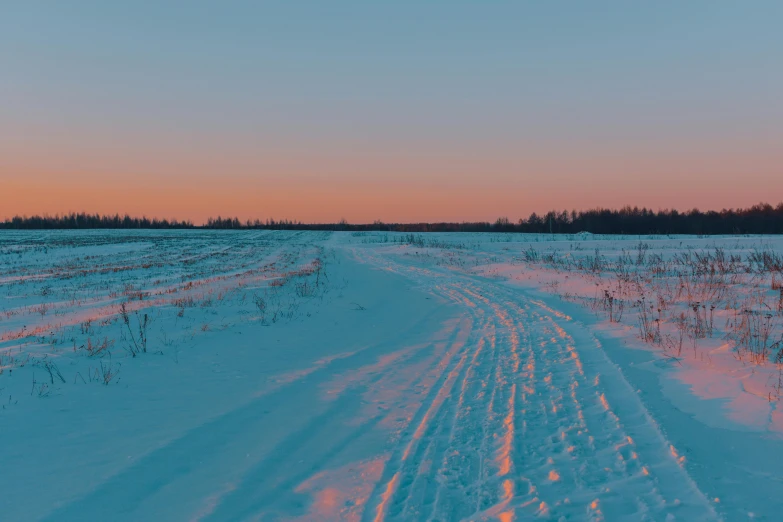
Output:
x=758 y=219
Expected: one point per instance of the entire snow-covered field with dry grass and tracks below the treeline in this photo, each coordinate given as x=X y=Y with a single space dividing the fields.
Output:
x=267 y=375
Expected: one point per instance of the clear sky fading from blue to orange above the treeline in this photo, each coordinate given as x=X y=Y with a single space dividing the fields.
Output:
x=400 y=111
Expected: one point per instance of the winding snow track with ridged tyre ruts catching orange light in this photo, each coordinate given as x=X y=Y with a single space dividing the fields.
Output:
x=529 y=418
